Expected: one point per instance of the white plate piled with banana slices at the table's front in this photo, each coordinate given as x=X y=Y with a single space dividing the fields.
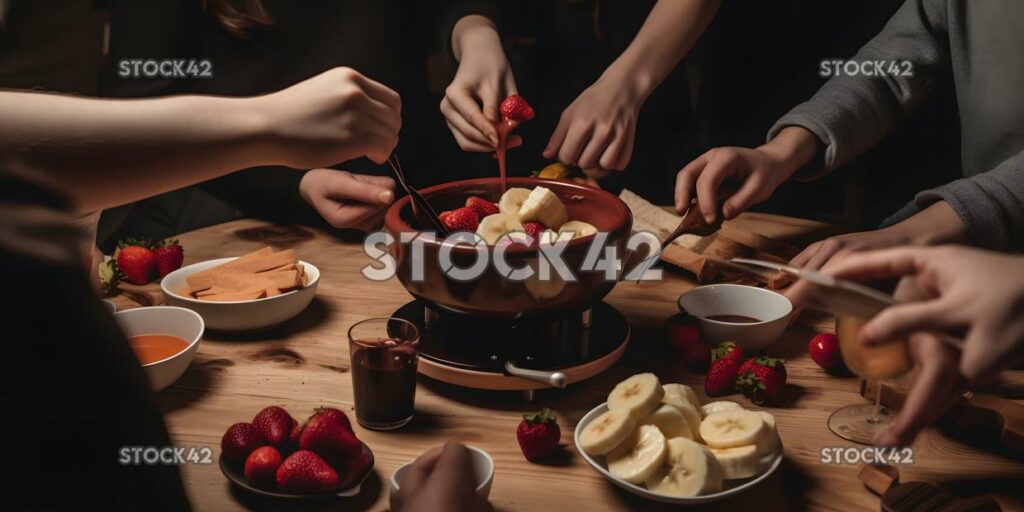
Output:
x=660 y=442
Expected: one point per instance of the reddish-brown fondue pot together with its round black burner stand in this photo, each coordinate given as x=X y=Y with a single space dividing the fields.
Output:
x=494 y=333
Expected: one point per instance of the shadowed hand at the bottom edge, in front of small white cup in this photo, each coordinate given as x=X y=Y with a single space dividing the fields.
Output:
x=441 y=480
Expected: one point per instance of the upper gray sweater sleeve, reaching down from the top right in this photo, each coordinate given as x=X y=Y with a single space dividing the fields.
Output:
x=852 y=113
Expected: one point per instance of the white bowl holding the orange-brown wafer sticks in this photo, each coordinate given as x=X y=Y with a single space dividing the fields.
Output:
x=241 y=315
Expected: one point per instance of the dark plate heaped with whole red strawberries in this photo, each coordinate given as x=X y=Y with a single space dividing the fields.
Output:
x=276 y=457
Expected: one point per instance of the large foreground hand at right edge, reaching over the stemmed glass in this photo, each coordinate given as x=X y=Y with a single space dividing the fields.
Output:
x=955 y=291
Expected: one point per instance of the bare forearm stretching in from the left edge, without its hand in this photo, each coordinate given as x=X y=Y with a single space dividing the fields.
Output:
x=107 y=153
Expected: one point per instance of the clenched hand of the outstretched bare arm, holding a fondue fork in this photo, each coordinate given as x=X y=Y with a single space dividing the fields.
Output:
x=334 y=117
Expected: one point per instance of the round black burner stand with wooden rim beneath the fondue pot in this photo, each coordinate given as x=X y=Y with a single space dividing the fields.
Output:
x=524 y=354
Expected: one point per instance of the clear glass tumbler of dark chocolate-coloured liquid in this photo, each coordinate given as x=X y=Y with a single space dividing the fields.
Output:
x=383 y=356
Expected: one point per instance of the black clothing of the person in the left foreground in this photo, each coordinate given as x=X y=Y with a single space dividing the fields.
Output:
x=77 y=392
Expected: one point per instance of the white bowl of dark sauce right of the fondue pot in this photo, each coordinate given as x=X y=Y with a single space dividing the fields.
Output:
x=772 y=309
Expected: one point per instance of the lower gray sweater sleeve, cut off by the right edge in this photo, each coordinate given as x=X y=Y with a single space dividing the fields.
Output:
x=991 y=204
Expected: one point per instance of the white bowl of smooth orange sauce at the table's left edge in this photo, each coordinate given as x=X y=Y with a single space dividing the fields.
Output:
x=168 y=321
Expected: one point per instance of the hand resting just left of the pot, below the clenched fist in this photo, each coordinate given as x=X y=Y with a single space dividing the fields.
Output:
x=347 y=200
